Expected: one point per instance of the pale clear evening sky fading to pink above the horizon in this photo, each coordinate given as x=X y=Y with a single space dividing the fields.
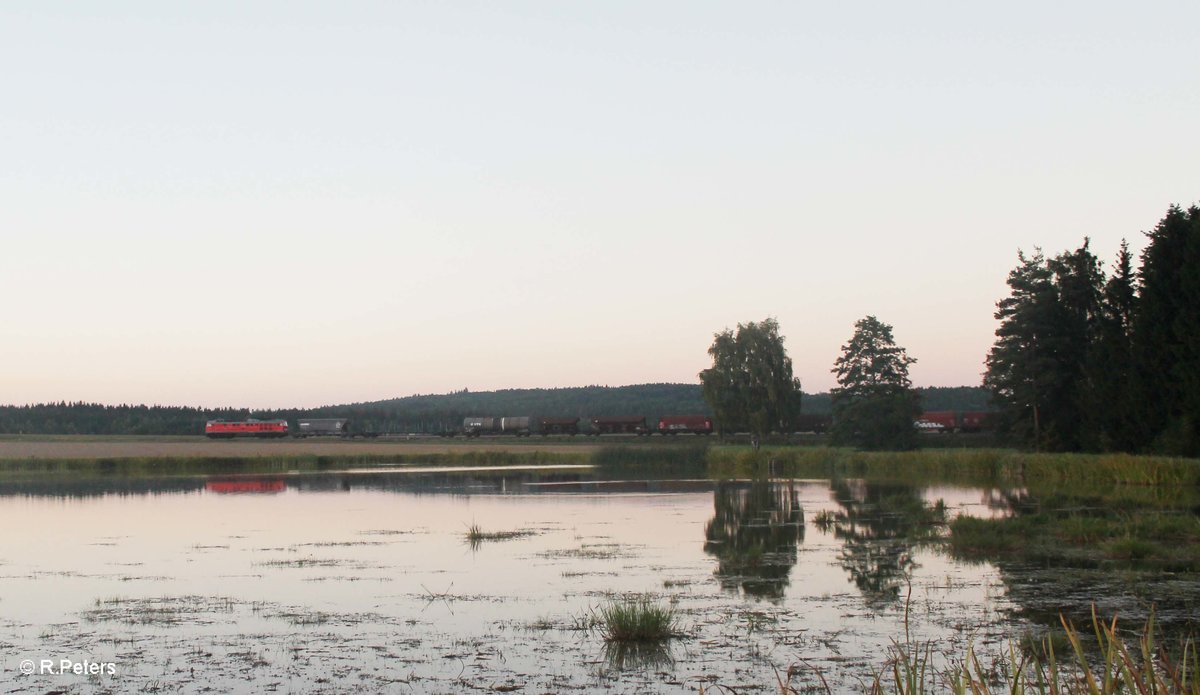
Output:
x=291 y=205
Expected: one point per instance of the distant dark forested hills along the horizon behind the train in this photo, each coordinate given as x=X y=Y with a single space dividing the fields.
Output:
x=428 y=414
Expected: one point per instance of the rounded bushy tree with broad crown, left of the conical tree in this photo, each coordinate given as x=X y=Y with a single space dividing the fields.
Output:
x=751 y=386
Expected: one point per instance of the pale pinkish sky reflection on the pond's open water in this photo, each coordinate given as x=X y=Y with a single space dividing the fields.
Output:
x=397 y=552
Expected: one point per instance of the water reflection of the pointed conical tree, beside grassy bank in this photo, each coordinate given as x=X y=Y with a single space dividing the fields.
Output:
x=880 y=526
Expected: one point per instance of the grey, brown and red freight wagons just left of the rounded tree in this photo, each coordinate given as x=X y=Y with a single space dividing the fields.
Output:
x=527 y=427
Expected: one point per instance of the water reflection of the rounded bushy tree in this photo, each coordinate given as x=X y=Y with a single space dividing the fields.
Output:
x=754 y=536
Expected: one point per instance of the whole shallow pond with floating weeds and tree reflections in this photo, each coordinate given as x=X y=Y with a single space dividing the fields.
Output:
x=500 y=578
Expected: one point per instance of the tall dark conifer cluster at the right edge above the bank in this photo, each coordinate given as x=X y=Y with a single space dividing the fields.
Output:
x=1088 y=362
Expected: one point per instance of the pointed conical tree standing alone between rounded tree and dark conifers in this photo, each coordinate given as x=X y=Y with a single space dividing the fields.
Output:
x=875 y=405
